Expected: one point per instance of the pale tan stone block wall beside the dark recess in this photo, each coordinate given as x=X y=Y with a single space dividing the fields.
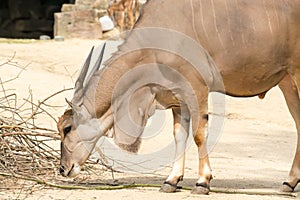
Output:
x=80 y=20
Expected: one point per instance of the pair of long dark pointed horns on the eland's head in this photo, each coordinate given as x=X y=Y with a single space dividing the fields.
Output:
x=84 y=77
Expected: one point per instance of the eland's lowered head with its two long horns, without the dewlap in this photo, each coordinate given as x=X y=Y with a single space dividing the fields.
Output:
x=78 y=128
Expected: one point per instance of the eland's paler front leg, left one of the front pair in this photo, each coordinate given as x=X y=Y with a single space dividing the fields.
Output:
x=181 y=128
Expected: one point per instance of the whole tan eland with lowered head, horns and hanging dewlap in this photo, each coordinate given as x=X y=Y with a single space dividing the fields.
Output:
x=178 y=52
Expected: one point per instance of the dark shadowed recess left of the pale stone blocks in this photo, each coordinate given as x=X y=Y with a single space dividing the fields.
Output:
x=28 y=18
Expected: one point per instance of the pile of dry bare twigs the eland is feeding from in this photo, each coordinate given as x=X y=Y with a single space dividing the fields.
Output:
x=26 y=153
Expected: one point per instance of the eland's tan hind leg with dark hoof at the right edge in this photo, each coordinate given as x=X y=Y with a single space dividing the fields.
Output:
x=291 y=94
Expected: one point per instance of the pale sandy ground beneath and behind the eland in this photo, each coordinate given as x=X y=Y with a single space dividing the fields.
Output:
x=253 y=154
